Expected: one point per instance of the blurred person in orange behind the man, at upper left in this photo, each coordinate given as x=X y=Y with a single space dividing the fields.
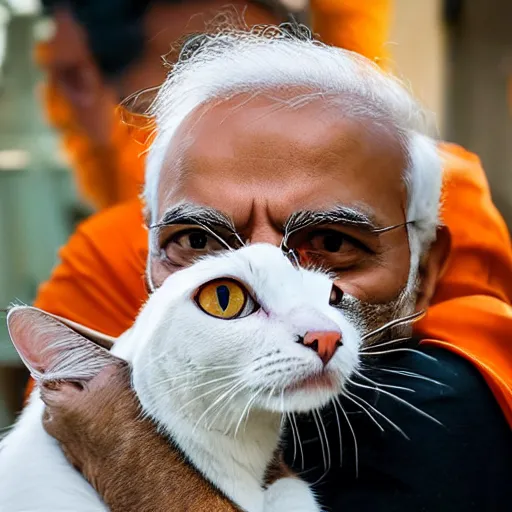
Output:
x=101 y=53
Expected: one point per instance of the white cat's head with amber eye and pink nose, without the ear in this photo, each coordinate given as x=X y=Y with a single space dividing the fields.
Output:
x=243 y=329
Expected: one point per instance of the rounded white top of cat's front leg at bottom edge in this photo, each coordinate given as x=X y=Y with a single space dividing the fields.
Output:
x=290 y=495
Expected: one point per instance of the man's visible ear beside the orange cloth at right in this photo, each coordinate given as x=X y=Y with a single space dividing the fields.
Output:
x=433 y=268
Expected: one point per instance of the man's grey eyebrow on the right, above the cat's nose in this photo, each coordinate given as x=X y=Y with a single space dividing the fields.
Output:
x=337 y=215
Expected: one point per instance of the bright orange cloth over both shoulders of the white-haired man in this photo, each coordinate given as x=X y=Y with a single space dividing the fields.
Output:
x=100 y=281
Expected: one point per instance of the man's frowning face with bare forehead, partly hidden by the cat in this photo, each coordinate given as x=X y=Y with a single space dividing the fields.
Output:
x=258 y=163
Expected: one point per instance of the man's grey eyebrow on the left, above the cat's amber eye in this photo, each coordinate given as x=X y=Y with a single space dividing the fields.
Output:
x=190 y=213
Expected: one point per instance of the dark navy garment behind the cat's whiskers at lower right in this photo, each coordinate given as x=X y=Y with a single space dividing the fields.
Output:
x=463 y=465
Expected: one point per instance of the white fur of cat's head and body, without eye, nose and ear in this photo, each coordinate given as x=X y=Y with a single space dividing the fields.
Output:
x=178 y=353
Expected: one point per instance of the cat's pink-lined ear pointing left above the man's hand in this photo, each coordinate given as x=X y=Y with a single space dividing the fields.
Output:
x=52 y=350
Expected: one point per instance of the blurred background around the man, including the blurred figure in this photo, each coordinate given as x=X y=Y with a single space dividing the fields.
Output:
x=65 y=65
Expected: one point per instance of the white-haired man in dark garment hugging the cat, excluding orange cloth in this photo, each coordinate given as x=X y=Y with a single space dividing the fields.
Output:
x=284 y=141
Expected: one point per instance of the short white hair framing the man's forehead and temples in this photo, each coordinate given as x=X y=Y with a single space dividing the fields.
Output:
x=216 y=67
